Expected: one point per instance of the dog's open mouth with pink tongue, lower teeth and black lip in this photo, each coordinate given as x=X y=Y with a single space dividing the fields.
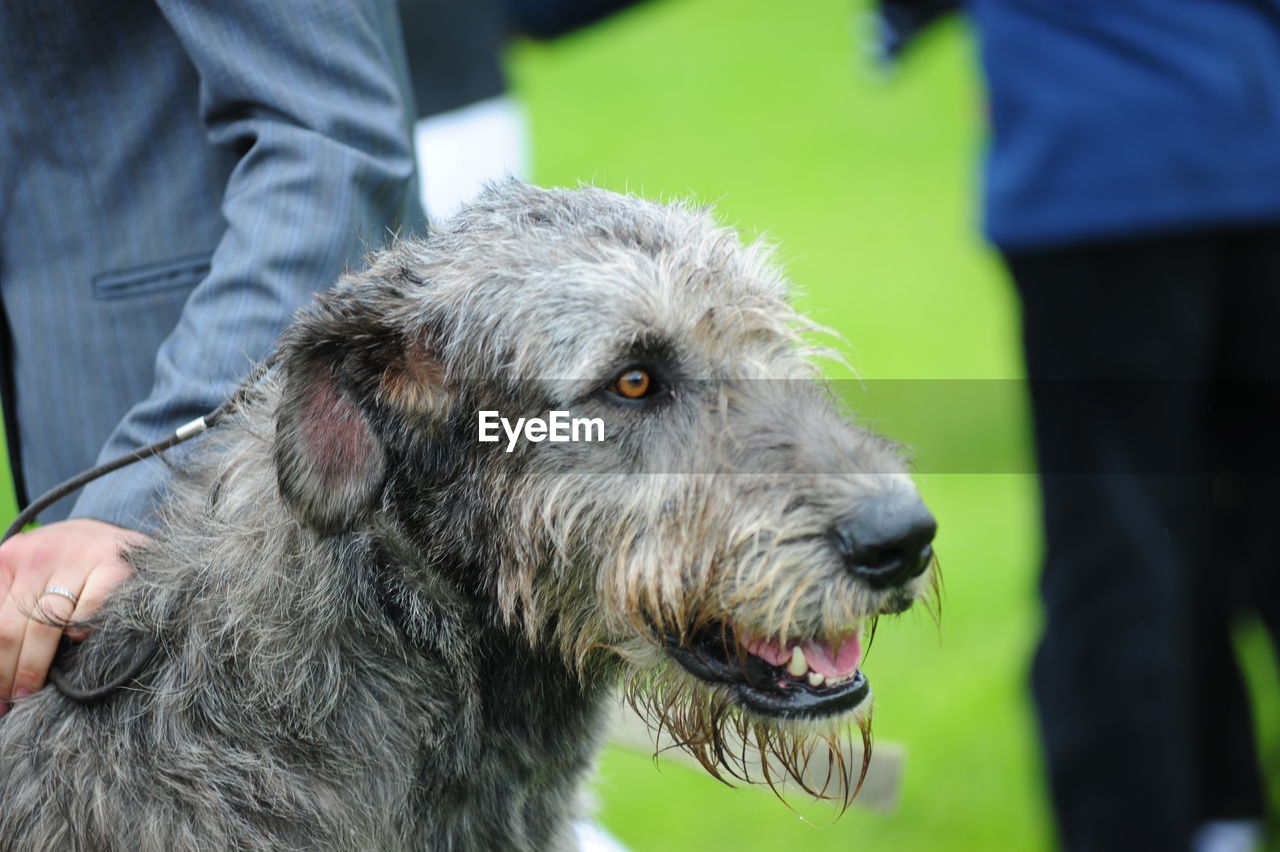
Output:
x=798 y=680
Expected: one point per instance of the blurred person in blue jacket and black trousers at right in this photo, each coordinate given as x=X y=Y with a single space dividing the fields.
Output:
x=1133 y=189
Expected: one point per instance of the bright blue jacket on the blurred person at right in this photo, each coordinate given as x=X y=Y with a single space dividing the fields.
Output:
x=1119 y=117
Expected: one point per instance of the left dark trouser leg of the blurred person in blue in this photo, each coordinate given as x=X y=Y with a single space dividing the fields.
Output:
x=1121 y=343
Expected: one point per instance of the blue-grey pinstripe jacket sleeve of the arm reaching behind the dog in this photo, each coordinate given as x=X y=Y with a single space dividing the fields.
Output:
x=313 y=97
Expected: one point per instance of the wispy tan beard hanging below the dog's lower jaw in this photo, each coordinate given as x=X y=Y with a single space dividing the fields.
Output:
x=734 y=744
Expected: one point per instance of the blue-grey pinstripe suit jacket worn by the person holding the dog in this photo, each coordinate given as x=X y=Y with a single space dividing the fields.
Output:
x=177 y=178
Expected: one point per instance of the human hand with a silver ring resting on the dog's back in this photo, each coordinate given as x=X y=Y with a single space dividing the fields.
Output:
x=81 y=557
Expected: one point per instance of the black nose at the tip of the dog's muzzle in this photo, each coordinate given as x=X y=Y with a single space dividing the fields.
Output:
x=888 y=543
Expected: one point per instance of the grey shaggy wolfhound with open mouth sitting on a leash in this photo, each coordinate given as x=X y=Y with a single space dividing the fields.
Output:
x=378 y=633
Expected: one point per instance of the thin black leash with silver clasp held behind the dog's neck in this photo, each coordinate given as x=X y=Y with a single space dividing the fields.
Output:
x=185 y=433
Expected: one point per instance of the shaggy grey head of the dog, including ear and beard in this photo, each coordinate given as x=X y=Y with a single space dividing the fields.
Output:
x=601 y=415
